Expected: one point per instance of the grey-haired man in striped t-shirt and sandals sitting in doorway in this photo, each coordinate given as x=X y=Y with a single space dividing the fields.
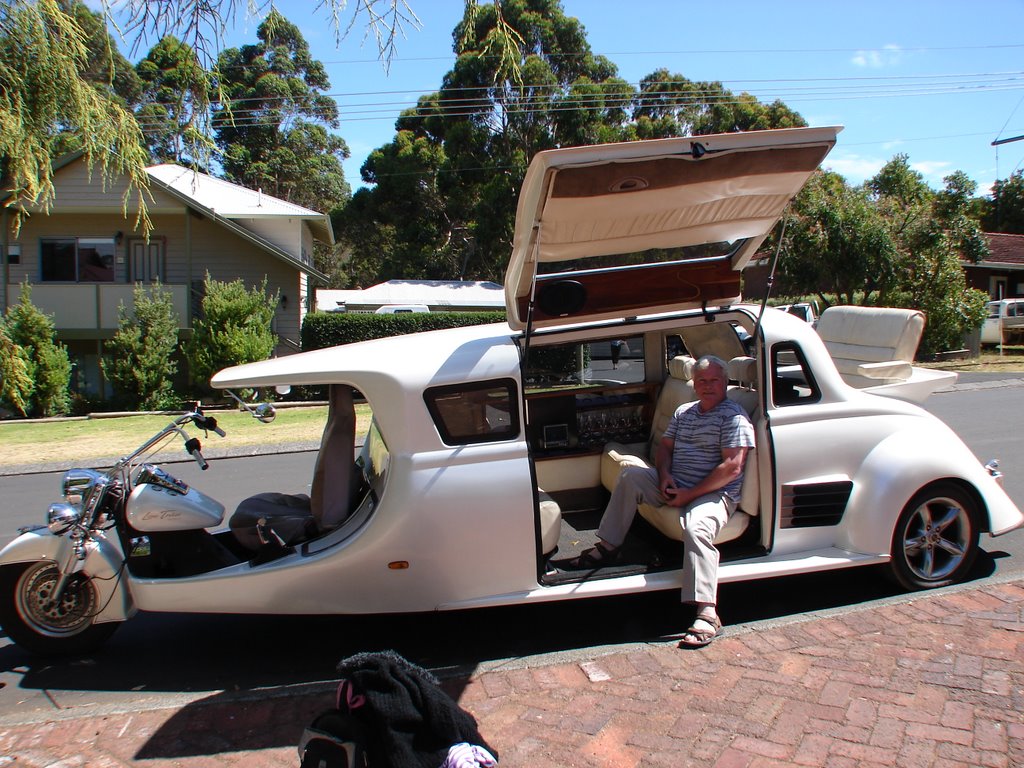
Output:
x=700 y=470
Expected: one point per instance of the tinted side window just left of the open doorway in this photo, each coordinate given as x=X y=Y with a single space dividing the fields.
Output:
x=478 y=412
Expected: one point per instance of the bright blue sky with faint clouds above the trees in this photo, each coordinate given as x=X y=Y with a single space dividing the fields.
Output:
x=937 y=80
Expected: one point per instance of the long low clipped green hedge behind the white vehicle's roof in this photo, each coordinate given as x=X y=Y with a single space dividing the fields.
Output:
x=330 y=329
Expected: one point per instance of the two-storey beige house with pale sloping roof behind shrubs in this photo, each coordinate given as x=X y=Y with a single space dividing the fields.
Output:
x=83 y=257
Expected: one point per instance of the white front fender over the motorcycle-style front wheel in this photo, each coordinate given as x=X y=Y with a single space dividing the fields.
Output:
x=104 y=564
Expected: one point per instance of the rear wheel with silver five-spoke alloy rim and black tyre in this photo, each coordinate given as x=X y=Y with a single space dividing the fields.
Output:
x=936 y=538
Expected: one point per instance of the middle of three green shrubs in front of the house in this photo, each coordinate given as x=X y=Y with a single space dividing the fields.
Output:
x=141 y=359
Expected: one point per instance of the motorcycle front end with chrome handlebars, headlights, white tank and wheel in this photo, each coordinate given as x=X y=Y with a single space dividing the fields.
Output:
x=64 y=587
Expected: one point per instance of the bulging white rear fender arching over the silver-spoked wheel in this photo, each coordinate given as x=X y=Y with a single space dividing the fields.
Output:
x=904 y=464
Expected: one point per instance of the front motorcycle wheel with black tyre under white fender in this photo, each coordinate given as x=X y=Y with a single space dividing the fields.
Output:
x=31 y=618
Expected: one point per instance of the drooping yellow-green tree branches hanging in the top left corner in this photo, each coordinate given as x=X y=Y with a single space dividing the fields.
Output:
x=61 y=91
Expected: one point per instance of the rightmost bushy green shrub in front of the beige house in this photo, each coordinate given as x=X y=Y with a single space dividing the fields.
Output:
x=234 y=328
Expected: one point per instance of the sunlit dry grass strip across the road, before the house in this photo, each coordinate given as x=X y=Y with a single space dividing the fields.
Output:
x=70 y=440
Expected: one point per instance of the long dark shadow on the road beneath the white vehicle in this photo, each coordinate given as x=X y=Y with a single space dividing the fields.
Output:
x=194 y=654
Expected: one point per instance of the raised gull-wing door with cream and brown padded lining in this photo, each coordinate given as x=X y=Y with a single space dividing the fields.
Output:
x=616 y=231
